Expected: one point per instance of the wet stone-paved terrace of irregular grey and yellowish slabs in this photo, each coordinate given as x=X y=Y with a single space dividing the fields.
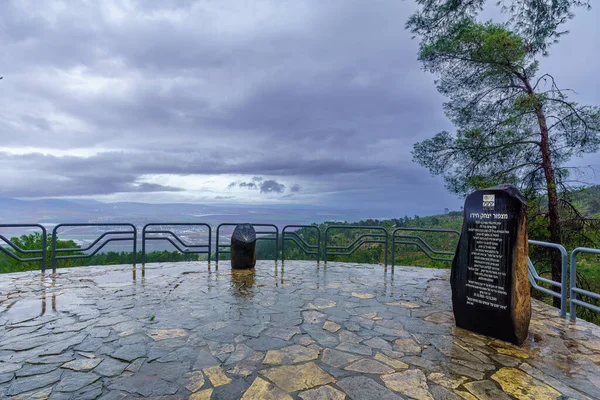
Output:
x=179 y=331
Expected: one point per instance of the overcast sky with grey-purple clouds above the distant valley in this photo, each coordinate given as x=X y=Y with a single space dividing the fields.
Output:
x=312 y=102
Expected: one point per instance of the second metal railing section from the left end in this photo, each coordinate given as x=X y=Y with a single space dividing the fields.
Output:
x=55 y=251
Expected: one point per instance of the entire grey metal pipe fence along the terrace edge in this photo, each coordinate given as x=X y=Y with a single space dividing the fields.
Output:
x=369 y=234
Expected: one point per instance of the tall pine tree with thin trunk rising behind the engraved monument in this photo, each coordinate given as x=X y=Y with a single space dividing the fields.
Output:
x=514 y=124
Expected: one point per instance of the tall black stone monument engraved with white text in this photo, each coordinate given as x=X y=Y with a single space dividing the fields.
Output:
x=489 y=279
